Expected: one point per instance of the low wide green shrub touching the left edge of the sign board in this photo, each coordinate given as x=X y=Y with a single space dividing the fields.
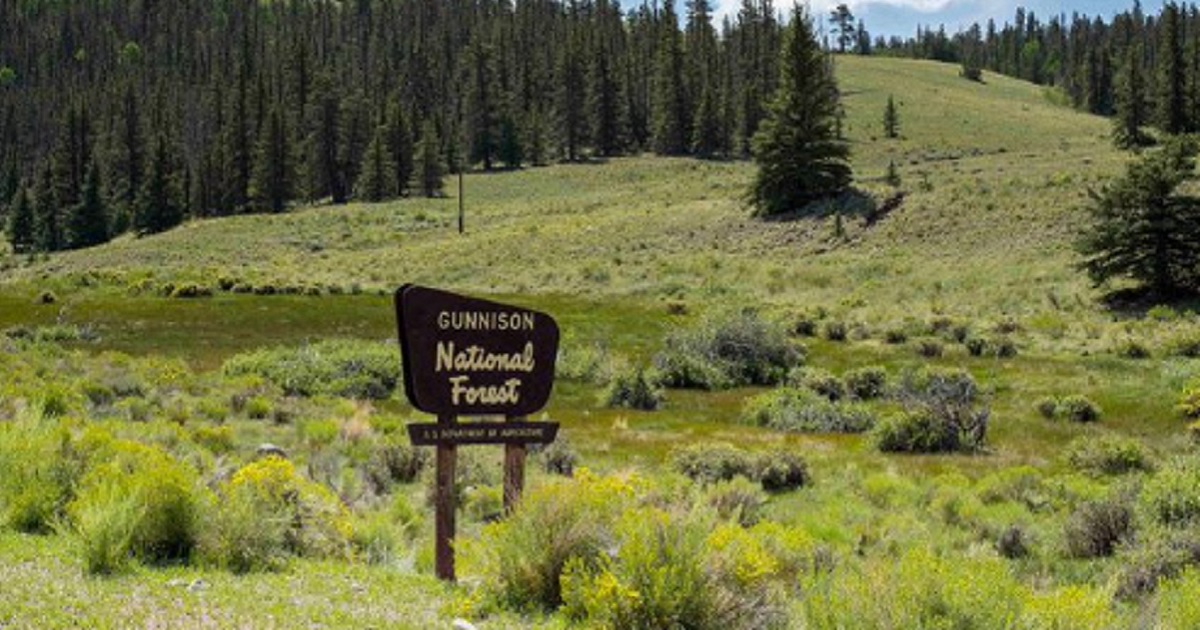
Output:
x=349 y=369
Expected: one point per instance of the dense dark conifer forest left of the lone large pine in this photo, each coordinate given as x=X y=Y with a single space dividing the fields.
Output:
x=136 y=115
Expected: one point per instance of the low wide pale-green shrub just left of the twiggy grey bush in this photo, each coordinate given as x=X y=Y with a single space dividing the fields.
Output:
x=801 y=411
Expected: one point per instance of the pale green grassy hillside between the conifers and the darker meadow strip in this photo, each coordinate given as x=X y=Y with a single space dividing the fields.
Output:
x=995 y=176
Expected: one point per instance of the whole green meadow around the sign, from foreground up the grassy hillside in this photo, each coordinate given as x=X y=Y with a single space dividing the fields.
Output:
x=213 y=339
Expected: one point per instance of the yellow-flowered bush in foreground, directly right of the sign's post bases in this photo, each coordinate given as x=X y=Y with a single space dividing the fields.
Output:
x=521 y=560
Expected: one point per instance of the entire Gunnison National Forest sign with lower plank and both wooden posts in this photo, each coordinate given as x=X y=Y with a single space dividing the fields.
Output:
x=475 y=358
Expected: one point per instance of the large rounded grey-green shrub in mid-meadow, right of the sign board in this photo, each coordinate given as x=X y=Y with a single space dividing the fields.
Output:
x=728 y=351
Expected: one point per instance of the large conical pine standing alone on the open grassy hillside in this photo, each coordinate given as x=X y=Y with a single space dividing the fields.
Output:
x=799 y=158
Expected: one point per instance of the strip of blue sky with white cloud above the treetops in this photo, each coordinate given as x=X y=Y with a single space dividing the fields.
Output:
x=902 y=17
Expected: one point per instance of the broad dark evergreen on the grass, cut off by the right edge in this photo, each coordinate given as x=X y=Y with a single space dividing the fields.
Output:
x=1144 y=230
